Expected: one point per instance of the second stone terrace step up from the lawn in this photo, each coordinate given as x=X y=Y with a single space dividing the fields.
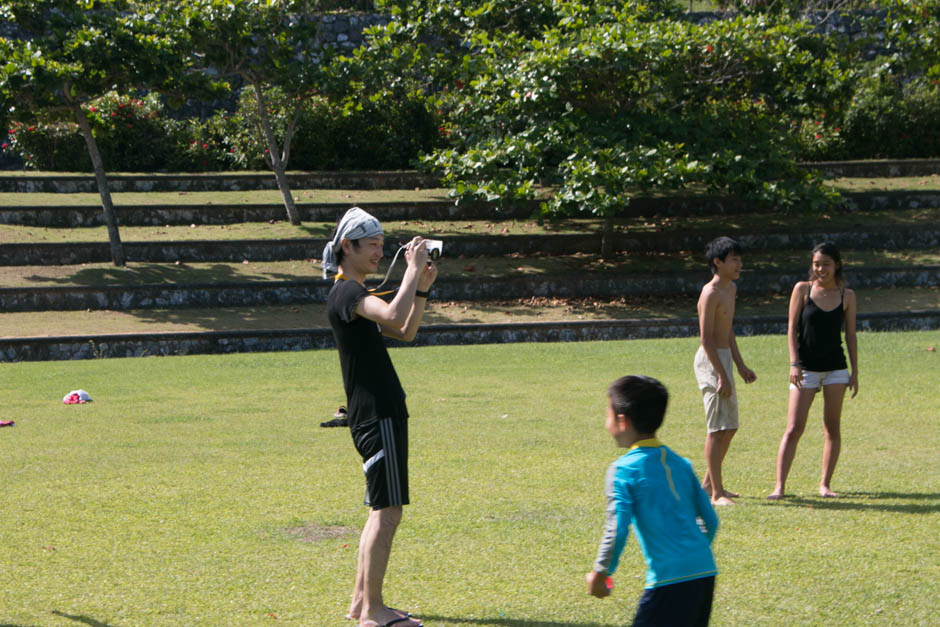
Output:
x=597 y=285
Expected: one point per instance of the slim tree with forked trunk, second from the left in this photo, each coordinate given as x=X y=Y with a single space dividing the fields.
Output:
x=271 y=46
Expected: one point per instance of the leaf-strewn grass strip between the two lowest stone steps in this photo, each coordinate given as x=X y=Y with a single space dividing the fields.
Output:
x=540 y=309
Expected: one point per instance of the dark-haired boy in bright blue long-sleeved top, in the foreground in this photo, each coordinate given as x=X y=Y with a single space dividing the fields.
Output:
x=656 y=491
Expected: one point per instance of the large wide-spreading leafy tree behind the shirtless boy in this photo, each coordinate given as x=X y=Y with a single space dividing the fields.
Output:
x=607 y=100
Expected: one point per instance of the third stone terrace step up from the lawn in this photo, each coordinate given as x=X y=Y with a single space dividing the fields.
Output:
x=196 y=251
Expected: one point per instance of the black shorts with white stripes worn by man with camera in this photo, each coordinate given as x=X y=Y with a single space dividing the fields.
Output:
x=383 y=446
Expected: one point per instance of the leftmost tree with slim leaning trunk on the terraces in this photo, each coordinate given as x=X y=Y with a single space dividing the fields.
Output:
x=65 y=53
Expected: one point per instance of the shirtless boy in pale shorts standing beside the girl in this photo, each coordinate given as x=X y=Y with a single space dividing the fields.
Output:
x=713 y=361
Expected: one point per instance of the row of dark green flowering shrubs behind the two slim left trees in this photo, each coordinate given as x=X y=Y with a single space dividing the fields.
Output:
x=137 y=134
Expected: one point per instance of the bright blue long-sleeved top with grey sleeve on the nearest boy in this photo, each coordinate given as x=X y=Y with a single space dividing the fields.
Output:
x=656 y=491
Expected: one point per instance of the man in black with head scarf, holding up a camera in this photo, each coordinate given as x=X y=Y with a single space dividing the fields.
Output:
x=378 y=417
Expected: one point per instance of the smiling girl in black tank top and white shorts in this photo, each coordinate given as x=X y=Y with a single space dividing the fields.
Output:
x=819 y=308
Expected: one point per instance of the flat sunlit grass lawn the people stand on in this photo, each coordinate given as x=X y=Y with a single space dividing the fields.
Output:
x=201 y=490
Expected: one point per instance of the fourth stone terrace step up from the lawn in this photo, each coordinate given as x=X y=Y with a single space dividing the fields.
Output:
x=678 y=206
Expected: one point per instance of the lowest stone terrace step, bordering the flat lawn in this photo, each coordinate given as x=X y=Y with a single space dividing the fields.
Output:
x=220 y=342
